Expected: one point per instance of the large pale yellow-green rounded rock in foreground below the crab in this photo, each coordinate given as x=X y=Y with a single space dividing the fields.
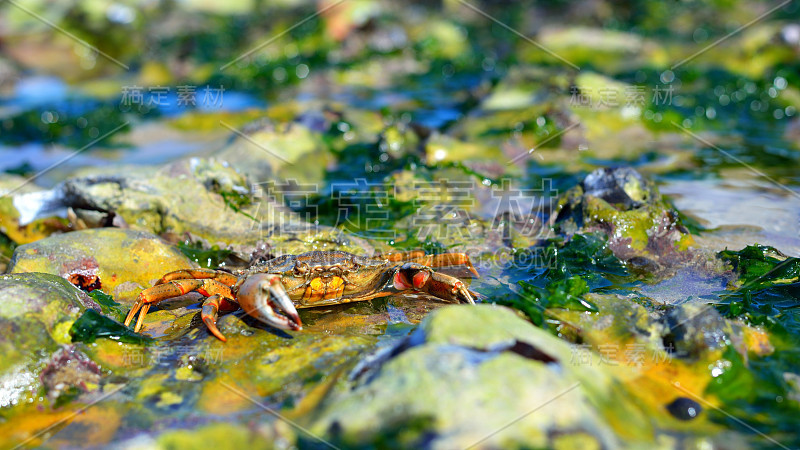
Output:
x=467 y=373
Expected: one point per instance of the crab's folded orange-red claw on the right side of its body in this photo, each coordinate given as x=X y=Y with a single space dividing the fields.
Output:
x=425 y=279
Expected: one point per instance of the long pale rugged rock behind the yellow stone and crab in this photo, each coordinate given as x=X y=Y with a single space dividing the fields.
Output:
x=203 y=199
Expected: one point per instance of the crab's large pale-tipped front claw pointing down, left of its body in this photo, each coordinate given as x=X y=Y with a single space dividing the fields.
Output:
x=263 y=296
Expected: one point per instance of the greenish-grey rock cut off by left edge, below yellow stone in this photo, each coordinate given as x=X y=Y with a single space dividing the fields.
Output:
x=35 y=316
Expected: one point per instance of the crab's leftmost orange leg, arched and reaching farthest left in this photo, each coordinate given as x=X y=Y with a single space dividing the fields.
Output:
x=172 y=289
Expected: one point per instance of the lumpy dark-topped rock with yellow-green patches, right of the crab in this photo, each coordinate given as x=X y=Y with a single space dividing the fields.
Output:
x=625 y=206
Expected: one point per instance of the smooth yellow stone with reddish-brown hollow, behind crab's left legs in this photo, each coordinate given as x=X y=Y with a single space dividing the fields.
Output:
x=118 y=261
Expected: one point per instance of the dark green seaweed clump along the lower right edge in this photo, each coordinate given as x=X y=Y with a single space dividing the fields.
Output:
x=758 y=389
